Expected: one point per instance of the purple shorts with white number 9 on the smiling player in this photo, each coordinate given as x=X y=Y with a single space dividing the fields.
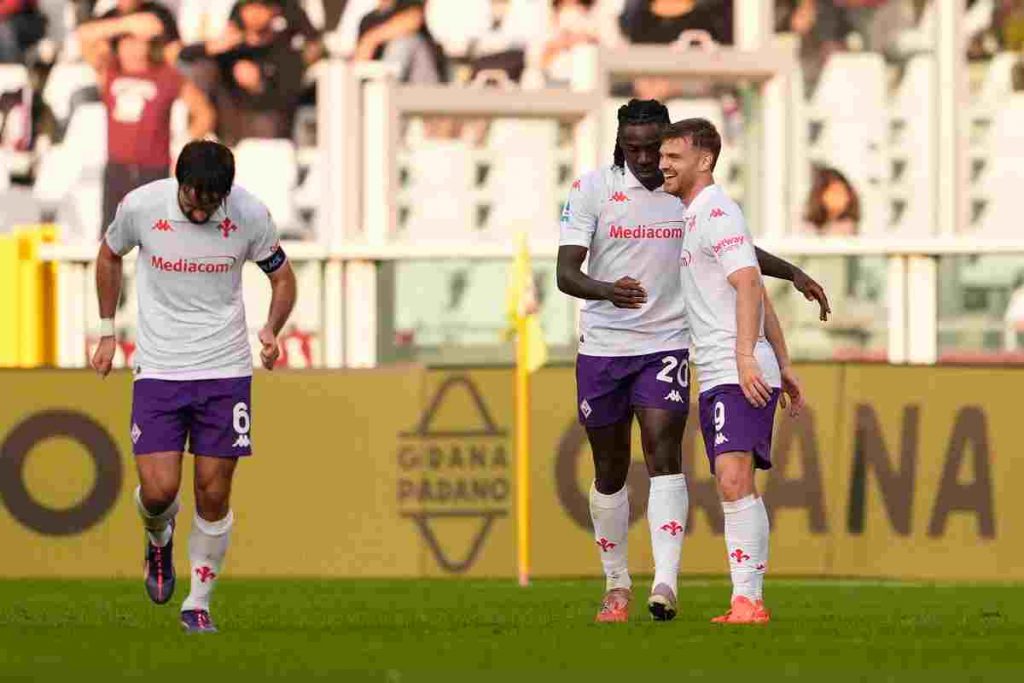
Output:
x=731 y=424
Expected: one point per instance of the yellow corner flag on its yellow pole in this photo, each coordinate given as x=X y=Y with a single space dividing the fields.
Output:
x=531 y=355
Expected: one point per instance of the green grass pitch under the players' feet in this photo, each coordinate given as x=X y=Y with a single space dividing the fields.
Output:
x=447 y=630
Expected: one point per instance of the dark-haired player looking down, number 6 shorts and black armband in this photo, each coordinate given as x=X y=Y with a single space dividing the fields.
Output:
x=193 y=364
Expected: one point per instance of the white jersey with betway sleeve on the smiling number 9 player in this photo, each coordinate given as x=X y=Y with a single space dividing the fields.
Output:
x=717 y=245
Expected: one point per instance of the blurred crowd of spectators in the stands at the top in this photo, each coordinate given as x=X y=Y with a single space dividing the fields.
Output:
x=243 y=67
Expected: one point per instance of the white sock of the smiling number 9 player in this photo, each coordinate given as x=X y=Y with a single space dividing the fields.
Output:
x=747 y=542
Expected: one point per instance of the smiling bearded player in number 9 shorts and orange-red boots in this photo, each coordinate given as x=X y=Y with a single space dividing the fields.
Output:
x=740 y=353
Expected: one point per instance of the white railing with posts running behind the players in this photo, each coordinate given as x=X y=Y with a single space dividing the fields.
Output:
x=912 y=289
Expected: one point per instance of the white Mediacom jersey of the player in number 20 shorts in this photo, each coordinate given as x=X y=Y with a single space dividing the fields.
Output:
x=630 y=231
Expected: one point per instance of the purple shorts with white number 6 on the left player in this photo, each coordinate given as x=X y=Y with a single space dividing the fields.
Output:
x=214 y=416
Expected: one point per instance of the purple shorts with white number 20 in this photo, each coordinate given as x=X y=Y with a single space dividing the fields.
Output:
x=610 y=388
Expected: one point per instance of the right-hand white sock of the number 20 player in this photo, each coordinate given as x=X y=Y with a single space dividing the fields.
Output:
x=667 y=508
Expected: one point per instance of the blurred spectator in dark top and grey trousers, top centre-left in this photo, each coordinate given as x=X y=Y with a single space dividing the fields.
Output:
x=397 y=32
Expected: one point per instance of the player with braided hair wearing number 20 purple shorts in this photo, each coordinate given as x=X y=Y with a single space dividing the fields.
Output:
x=634 y=348
